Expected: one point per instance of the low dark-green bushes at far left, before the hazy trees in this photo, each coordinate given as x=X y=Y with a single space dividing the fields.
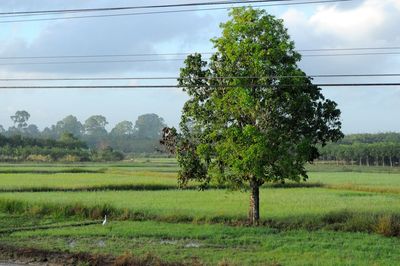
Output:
x=18 y=148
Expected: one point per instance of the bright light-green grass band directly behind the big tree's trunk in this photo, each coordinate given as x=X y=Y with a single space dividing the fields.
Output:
x=300 y=205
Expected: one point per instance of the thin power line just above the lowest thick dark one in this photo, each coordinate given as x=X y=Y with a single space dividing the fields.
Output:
x=208 y=78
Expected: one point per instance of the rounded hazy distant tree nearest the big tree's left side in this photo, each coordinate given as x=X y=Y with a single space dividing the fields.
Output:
x=149 y=126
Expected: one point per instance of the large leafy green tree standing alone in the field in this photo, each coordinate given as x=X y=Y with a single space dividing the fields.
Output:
x=260 y=125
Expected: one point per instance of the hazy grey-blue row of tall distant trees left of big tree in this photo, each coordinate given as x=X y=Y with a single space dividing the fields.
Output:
x=141 y=137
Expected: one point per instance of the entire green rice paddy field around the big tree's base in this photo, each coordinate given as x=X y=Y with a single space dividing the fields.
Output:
x=342 y=215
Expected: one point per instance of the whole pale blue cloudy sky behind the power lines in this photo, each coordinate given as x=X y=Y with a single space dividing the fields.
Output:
x=357 y=23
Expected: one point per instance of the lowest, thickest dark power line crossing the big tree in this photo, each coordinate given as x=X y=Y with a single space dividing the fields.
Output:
x=178 y=86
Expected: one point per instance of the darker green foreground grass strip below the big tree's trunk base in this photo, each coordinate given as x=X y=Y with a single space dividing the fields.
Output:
x=215 y=243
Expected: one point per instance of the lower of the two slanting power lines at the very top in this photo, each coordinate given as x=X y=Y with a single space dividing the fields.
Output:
x=166 y=11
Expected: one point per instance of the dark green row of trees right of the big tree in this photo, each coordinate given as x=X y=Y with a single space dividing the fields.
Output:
x=364 y=149
